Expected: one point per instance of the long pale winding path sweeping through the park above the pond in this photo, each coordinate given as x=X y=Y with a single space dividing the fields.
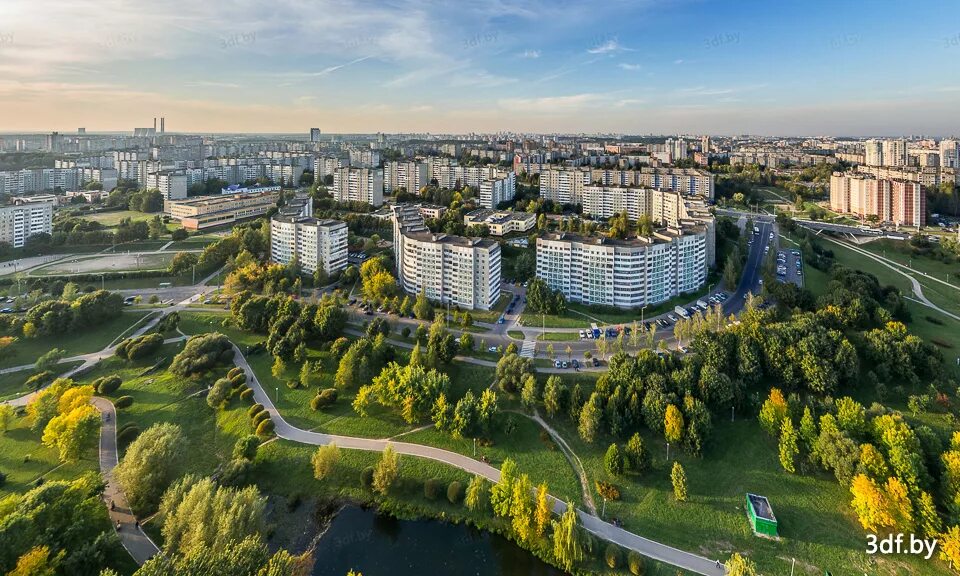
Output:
x=602 y=529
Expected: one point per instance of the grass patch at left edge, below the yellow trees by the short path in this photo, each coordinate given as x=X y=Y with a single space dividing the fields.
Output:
x=23 y=458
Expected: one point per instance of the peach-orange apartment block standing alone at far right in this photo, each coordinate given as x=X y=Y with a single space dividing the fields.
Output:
x=900 y=202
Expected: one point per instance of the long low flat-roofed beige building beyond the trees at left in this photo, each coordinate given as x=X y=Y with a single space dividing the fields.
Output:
x=208 y=211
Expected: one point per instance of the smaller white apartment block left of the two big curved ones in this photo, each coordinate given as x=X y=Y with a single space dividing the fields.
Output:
x=313 y=242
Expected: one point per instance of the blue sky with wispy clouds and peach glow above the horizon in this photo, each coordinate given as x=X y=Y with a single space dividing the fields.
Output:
x=812 y=67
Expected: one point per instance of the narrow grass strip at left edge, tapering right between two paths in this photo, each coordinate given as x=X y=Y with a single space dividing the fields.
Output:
x=27 y=350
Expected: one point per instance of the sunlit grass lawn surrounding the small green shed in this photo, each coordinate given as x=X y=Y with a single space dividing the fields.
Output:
x=816 y=523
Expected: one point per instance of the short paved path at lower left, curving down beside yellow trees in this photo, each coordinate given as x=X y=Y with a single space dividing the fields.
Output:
x=133 y=538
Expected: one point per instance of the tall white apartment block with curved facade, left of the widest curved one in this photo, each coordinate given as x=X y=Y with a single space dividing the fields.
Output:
x=454 y=270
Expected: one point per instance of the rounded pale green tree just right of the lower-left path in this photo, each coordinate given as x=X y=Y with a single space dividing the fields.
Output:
x=150 y=464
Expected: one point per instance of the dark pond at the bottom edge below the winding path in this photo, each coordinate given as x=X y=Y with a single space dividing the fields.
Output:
x=377 y=545
